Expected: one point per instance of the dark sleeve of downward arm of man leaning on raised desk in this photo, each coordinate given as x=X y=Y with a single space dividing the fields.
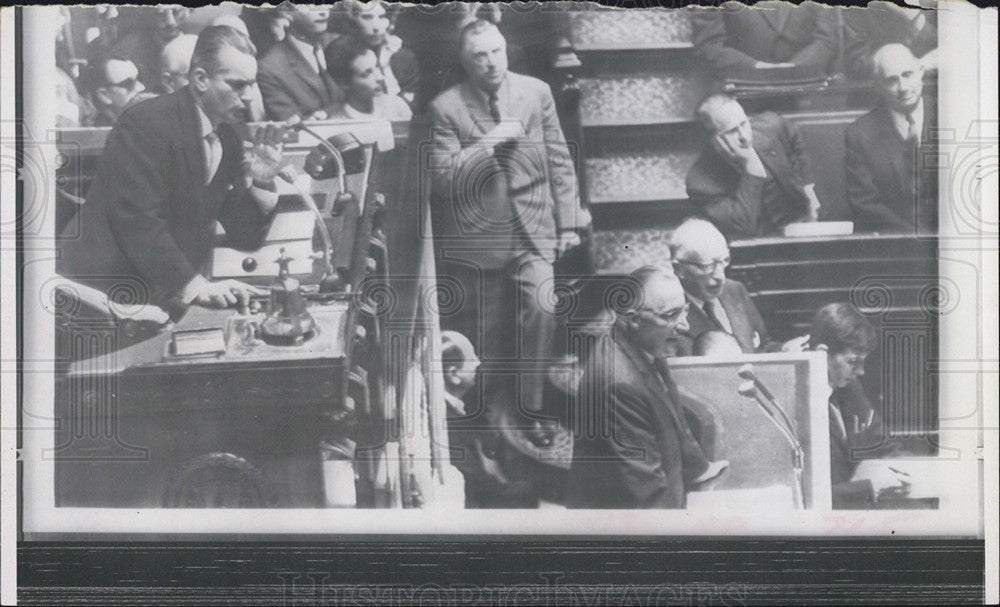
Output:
x=136 y=192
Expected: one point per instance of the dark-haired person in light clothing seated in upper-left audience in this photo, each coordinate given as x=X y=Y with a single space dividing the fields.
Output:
x=354 y=69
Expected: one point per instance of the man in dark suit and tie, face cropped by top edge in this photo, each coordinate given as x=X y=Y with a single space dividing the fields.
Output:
x=293 y=78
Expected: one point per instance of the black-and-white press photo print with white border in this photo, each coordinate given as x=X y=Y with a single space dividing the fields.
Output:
x=500 y=269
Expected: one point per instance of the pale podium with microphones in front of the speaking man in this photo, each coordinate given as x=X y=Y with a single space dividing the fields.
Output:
x=761 y=469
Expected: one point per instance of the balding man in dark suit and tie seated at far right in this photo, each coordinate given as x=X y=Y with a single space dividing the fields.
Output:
x=887 y=186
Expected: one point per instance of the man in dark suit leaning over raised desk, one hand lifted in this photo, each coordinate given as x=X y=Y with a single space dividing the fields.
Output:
x=171 y=167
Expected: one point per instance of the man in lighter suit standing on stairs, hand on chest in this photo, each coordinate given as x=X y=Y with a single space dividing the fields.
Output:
x=505 y=204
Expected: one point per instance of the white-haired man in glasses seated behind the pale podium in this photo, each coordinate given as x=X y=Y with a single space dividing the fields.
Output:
x=700 y=258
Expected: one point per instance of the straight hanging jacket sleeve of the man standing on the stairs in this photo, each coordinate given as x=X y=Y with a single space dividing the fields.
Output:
x=562 y=175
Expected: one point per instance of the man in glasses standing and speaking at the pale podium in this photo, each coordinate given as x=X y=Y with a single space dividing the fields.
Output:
x=633 y=447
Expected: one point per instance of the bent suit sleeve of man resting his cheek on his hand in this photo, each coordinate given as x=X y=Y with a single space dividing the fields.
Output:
x=735 y=213
